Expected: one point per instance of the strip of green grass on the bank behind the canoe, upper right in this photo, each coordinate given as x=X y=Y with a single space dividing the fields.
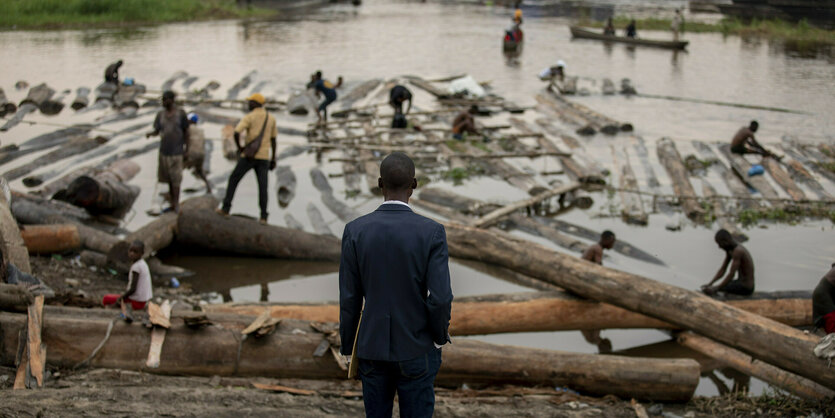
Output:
x=775 y=29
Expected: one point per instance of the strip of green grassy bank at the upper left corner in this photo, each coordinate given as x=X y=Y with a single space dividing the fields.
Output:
x=34 y=14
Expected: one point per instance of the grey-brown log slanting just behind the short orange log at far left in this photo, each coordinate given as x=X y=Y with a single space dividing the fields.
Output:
x=31 y=211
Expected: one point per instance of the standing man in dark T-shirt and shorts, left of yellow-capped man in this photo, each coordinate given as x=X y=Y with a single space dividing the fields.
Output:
x=172 y=125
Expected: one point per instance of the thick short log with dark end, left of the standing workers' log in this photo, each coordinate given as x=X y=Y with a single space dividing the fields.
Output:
x=102 y=193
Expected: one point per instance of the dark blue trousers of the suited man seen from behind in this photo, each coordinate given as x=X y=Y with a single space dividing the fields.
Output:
x=413 y=381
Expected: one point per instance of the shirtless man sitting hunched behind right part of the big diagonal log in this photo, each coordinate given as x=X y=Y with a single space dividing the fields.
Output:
x=742 y=266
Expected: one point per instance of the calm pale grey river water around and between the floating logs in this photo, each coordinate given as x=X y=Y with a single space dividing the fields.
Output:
x=383 y=39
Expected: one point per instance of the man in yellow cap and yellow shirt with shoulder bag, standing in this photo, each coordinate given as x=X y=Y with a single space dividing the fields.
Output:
x=258 y=125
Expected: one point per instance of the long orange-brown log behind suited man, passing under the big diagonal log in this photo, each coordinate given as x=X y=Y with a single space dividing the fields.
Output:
x=541 y=312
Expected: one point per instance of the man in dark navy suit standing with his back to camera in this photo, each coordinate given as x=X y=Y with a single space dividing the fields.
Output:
x=398 y=262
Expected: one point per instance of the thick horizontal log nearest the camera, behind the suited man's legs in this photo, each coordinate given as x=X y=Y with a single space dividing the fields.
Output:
x=288 y=353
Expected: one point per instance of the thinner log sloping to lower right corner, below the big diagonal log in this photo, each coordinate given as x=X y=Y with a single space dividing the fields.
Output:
x=738 y=360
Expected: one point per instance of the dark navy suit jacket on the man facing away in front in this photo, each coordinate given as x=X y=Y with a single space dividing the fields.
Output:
x=392 y=258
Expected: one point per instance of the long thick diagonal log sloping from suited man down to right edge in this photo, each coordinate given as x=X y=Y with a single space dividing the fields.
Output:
x=765 y=339
